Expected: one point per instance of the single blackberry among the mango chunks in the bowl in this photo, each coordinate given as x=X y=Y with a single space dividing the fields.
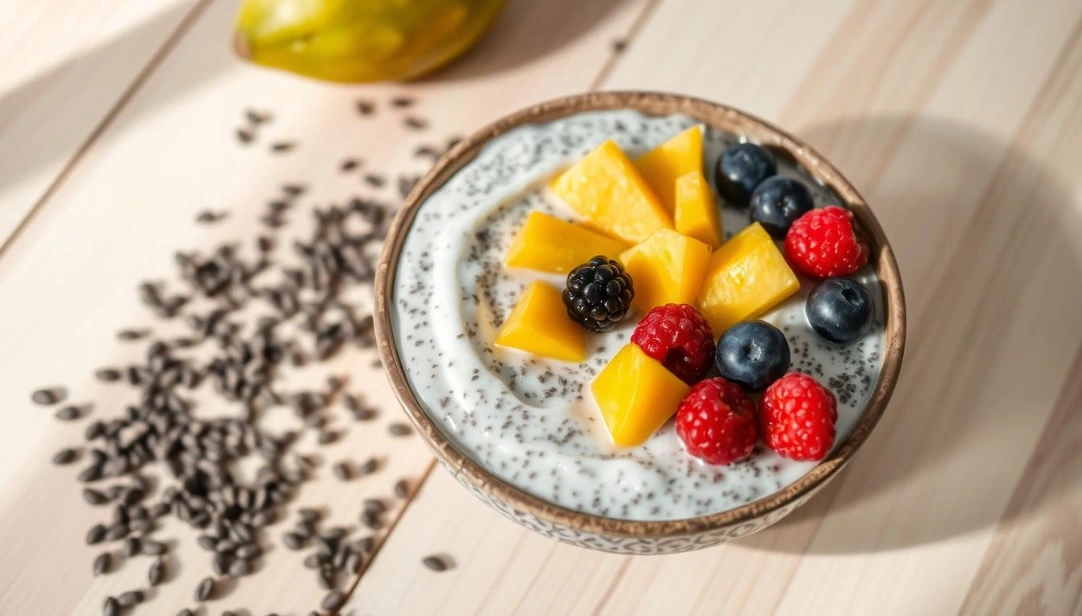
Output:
x=599 y=294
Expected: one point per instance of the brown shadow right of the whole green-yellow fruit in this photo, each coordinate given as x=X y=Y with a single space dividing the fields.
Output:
x=529 y=32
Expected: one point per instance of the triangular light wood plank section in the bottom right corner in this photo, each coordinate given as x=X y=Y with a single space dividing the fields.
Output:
x=1034 y=565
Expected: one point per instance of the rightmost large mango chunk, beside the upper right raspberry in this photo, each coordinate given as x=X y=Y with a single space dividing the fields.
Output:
x=746 y=278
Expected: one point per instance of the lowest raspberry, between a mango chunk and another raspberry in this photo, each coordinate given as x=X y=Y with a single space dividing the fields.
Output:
x=717 y=423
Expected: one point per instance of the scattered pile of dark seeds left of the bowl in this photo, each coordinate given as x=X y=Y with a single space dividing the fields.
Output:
x=254 y=314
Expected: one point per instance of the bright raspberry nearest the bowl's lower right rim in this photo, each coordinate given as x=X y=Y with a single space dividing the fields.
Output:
x=799 y=417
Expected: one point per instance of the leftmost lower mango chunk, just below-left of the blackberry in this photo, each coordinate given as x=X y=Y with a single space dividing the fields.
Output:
x=540 y=325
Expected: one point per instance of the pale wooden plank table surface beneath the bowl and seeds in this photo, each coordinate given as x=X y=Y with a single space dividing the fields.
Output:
x=959 y=121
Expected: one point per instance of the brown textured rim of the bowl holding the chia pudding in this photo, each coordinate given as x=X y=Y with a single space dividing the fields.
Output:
x=654 y=104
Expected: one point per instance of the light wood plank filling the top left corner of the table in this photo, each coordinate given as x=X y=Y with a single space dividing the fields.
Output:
x=64 y=68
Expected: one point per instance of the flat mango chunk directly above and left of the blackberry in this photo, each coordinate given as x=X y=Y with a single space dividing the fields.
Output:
x=552 y=245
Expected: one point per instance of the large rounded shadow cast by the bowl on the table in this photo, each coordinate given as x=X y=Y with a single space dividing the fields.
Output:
x=977 y=226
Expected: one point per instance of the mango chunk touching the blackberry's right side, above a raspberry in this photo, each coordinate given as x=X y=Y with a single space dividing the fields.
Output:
x=666 y=269
